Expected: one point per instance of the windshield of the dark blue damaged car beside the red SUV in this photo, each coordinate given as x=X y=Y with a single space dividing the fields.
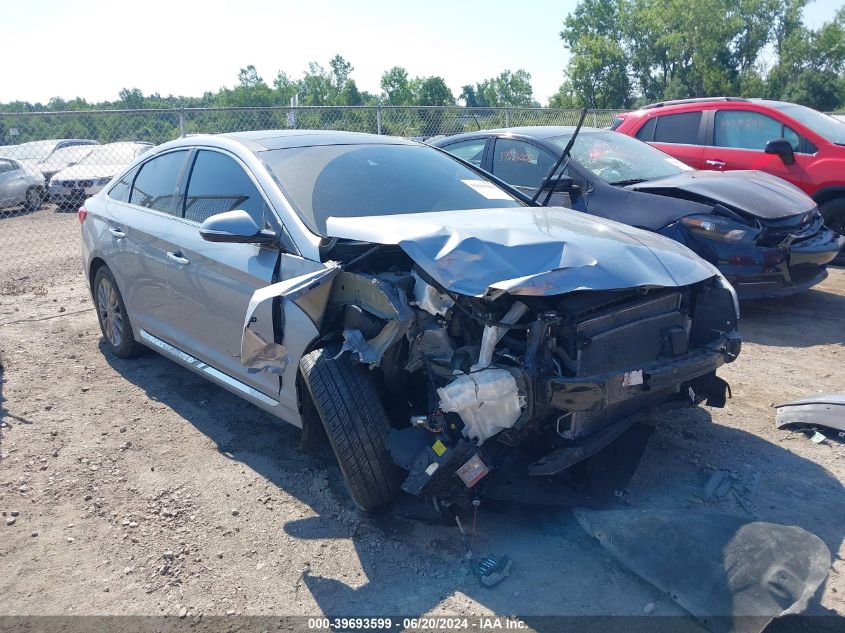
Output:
x=620 y=159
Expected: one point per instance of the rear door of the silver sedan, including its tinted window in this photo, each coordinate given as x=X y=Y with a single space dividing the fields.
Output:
x=140 y=214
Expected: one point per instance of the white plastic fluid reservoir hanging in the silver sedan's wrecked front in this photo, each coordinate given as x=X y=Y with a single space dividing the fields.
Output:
x=487 y=401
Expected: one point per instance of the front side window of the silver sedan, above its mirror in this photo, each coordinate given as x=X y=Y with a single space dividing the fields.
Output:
x=220 y=184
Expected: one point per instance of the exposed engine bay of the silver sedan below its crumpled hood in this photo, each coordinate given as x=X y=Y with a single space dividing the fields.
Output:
x=468 y=380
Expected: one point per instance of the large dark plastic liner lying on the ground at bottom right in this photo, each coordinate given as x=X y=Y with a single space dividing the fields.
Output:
x=733 y=575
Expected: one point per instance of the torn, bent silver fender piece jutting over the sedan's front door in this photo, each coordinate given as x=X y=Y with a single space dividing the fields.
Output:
x=258 y=354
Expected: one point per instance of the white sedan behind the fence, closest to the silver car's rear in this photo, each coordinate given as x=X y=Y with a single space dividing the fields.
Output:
x=70 y=186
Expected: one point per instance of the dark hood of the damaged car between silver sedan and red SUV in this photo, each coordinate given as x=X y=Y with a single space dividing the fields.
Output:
x=754 y=192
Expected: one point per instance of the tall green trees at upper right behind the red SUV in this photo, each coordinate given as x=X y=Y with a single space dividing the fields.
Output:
x=629 y=52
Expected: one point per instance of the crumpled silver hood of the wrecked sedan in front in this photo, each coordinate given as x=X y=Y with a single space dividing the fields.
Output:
x=529 y=251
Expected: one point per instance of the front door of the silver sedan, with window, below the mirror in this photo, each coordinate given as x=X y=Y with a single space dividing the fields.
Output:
x=211 y=284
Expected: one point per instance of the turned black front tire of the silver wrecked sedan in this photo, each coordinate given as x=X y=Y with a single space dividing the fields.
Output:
x=356 y=424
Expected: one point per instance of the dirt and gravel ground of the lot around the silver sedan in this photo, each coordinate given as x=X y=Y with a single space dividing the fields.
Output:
x=135 y=487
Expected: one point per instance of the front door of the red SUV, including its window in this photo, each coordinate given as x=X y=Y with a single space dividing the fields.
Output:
x=738 y=139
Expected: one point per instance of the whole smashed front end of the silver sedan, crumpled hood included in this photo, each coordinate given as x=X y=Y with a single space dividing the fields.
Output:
x=489 y=339
